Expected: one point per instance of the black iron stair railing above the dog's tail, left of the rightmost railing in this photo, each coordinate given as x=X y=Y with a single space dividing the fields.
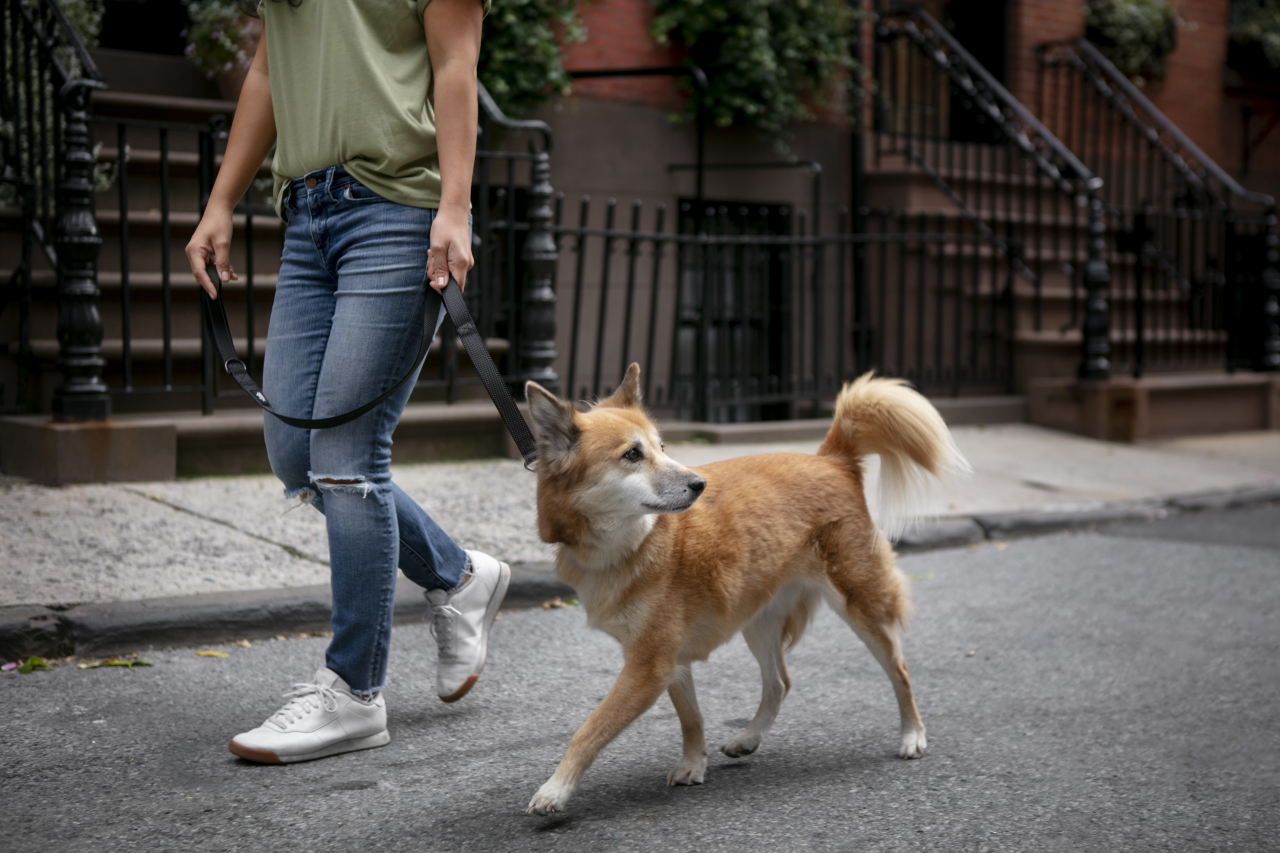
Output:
x=1034 y=203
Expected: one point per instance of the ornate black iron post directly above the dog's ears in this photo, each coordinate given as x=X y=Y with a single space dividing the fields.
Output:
x=537 y=354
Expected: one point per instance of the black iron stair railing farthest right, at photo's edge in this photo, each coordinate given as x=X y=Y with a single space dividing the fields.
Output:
x=1195 y=256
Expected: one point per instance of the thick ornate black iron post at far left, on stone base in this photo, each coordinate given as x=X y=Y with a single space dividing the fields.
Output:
x=83 y=395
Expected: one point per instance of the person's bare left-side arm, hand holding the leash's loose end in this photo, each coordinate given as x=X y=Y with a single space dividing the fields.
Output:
x=252 y=138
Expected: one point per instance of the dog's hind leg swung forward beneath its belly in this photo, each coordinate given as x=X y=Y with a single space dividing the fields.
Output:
x=766 y=636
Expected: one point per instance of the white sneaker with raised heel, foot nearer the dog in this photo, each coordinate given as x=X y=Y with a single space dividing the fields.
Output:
x=461 y=619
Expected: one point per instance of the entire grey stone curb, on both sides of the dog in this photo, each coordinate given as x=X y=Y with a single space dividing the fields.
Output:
x=118 y=628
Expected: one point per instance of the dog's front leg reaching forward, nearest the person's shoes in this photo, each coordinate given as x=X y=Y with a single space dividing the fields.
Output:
x=637 y=690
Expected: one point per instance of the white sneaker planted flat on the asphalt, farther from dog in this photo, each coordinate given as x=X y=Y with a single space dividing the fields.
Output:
x=322 y=719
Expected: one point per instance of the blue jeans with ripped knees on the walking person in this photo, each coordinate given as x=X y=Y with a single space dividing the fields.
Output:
x=346 y=325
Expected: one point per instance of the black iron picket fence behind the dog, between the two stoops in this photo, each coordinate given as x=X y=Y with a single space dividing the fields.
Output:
x=760 y=317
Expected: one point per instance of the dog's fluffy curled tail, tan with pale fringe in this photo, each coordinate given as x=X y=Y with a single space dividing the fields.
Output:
x=889 y=418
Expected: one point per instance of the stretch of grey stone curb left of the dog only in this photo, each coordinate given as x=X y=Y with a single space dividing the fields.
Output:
x=118 y=628
